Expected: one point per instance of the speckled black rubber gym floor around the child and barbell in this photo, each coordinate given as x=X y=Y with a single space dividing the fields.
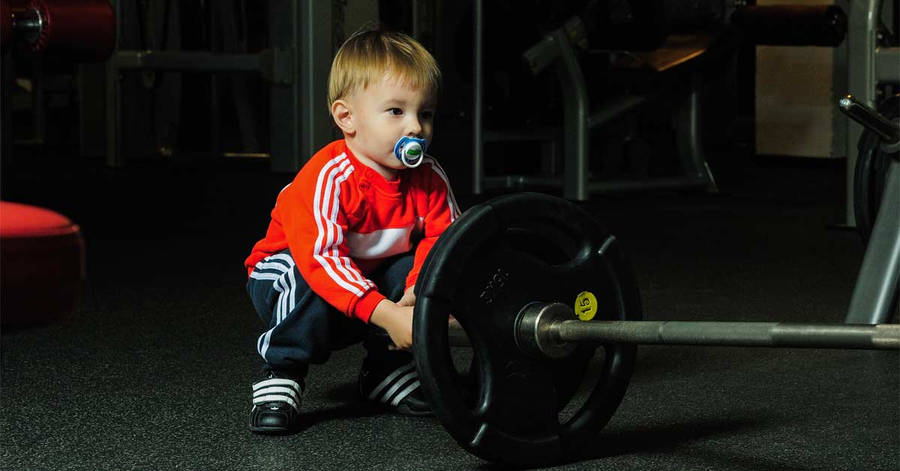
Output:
x=153 y=371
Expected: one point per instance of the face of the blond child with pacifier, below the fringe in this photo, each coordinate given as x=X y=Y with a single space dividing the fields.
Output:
x=384 y=112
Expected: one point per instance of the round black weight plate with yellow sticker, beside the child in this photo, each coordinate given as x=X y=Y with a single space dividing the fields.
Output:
x=498 y=257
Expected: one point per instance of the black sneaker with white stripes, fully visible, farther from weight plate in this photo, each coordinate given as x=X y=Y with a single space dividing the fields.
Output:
x=276 y=404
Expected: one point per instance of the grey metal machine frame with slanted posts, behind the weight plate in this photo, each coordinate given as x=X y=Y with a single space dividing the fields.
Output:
x=578 y=121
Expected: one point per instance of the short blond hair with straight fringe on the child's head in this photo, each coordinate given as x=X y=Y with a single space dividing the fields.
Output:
x=369 y=55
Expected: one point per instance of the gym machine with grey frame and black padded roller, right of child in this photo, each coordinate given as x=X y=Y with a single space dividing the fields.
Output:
x=645 y=27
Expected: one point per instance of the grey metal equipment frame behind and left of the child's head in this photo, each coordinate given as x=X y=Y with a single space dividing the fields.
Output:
x=295 y=65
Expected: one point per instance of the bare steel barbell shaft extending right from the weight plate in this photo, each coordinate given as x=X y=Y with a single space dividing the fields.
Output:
x=745 y=334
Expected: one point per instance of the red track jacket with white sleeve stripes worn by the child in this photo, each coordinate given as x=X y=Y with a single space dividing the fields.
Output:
x=341 y=219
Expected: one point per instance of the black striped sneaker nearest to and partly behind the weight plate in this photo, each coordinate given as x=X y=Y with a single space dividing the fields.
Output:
x=391 y=381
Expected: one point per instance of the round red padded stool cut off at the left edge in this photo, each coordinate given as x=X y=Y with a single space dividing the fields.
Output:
x=41 y=265
